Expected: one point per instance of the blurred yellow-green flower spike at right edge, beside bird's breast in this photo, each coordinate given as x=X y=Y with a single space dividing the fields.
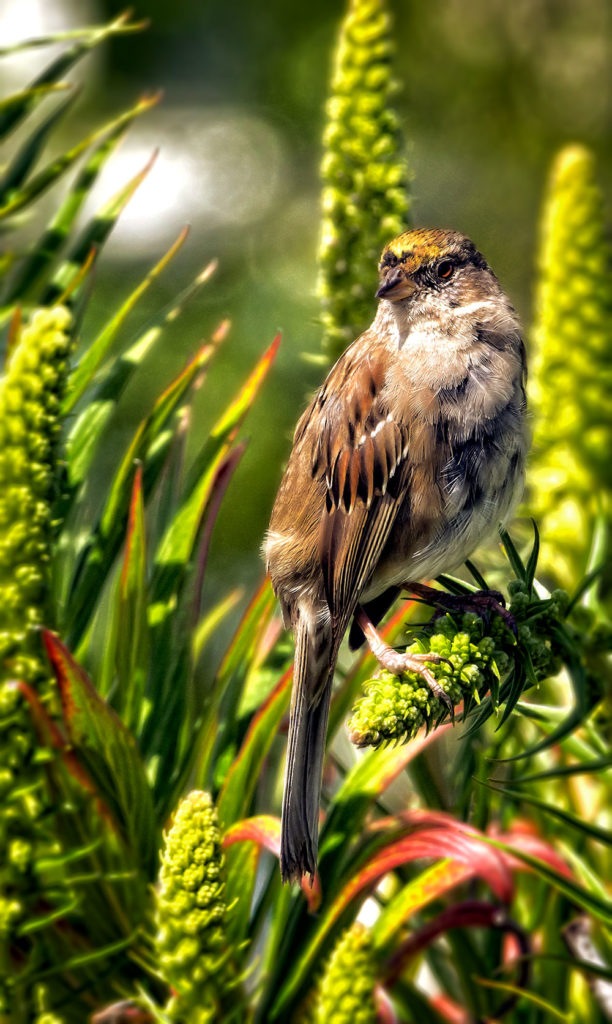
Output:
x=571 y=476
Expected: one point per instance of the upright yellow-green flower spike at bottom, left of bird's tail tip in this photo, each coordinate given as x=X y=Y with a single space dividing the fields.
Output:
x=195 y=957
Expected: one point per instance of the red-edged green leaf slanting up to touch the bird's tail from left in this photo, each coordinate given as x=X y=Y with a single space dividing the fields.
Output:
x=246 y=769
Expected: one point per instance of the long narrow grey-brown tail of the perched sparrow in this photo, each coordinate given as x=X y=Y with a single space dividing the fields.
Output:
x=314 y=673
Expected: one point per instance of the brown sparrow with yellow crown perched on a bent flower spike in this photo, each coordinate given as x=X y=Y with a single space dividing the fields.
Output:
x=410 y=456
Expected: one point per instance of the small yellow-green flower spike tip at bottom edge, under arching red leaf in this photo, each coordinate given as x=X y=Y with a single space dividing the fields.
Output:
x=345 y=994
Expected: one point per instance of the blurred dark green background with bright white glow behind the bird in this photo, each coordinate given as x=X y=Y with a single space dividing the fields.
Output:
x=489 y=92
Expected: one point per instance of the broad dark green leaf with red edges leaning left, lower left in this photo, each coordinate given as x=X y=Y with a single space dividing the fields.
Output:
x=109 y=753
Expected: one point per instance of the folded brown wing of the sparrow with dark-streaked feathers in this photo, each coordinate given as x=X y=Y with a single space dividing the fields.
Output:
x=361 y=453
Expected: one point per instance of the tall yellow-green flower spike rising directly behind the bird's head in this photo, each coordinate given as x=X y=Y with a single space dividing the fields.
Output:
x=365 y=197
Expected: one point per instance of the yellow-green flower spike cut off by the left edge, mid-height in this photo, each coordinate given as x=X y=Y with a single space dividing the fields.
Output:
x=30 y=398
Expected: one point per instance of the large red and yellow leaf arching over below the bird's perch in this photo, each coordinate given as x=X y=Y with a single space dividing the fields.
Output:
x=465 y=859
